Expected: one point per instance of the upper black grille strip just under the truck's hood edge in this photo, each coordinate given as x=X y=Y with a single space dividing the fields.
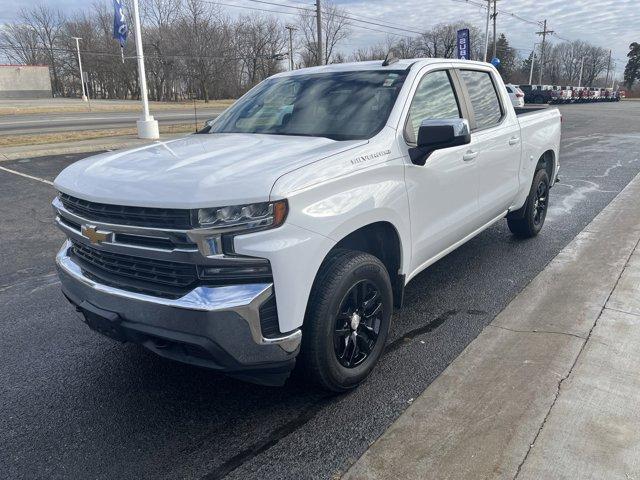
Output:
x=171 y=218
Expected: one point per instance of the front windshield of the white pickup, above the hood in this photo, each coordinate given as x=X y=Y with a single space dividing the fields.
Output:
x=340 y=106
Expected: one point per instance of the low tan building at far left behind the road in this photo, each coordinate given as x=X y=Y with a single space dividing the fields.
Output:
x=24 y=81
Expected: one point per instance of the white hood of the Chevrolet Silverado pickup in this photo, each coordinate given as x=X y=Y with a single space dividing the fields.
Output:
x=206 y=170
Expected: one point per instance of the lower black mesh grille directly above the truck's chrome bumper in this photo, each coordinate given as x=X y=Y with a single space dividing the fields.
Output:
x=155 y=277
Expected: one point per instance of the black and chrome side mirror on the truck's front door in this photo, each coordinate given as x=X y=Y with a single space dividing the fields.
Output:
x=437 y=134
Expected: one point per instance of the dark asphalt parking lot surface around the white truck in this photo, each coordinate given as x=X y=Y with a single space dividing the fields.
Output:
x=75 y=404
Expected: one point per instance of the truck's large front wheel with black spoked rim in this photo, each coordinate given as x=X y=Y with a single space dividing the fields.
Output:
x=347 y=320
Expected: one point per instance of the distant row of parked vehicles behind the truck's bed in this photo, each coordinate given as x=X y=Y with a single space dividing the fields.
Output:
x=558 y=94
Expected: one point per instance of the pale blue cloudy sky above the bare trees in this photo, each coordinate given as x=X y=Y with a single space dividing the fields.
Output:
x=611 y=24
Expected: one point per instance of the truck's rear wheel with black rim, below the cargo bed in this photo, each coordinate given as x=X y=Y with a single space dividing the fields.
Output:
x=528 y=221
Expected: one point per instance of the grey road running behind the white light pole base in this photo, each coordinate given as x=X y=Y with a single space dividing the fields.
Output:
x=59 y=122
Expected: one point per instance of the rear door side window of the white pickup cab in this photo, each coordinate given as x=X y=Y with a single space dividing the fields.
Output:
x=484 y=98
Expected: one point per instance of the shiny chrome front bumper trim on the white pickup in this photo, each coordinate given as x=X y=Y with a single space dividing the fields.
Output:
x=245 y=300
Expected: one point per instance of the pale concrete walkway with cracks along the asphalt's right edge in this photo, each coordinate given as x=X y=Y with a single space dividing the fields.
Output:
x=485 y=415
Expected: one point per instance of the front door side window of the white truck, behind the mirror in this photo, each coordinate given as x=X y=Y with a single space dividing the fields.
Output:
x=434 y=99
